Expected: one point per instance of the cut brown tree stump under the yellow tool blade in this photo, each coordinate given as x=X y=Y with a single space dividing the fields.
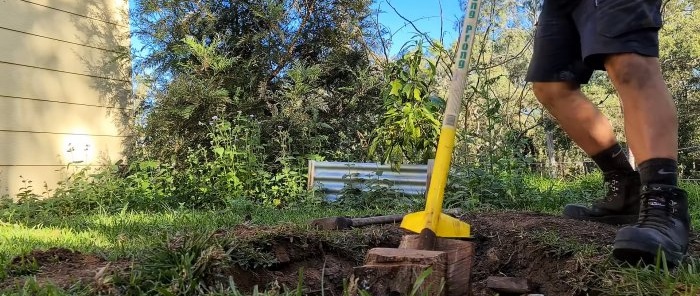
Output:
x=394 y=271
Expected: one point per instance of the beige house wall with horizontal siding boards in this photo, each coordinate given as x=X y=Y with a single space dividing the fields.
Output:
x=64 y=89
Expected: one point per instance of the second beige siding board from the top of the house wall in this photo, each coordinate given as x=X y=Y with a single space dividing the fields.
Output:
x=39 y=20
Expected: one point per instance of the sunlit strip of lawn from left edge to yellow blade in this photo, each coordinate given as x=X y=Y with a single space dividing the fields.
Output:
x=127 y=234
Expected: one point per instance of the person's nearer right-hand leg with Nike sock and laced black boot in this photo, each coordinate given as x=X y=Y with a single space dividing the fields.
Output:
x=652 y=130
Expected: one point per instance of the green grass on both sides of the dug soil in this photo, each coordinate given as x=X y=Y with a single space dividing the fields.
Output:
x=138 y=235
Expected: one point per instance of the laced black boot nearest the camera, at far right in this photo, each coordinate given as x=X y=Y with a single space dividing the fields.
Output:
x=664 y=223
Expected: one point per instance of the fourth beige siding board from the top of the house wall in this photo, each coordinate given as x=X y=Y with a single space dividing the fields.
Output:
x=40 y=84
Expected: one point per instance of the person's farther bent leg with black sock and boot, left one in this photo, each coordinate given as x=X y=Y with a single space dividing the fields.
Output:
x=592 y=132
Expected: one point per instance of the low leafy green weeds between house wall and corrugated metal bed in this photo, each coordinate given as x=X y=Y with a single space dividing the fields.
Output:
x=231 y=168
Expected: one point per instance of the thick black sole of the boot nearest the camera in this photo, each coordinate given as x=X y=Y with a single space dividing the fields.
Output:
x=633 y=252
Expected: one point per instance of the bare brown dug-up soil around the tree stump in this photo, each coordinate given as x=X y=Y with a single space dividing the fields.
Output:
x=558 y=255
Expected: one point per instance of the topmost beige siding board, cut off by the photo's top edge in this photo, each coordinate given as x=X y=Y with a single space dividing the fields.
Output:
x=106 y=11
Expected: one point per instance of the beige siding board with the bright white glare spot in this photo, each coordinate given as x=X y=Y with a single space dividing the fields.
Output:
x=40 y=149
